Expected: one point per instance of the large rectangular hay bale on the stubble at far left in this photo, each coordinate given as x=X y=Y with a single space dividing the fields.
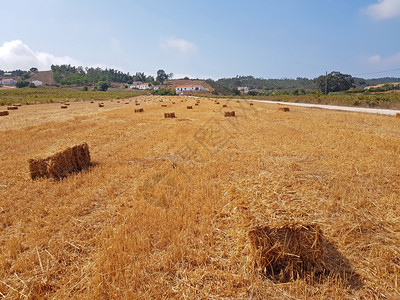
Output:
x=61 y=164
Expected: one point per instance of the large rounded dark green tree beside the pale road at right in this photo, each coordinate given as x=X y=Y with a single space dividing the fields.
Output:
x=334 y=82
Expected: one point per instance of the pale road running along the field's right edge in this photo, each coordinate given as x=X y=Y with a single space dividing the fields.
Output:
x=335 y=107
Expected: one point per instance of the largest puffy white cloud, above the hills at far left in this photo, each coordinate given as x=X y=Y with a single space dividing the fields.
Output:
x=17 y=55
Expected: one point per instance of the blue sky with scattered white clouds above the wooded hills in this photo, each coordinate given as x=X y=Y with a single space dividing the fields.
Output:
x=205 y=39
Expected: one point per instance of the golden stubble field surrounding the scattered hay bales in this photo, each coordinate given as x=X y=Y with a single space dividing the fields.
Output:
x=166 y=208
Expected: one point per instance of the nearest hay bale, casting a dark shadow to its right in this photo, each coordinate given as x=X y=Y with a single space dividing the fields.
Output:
x=287 y=251
